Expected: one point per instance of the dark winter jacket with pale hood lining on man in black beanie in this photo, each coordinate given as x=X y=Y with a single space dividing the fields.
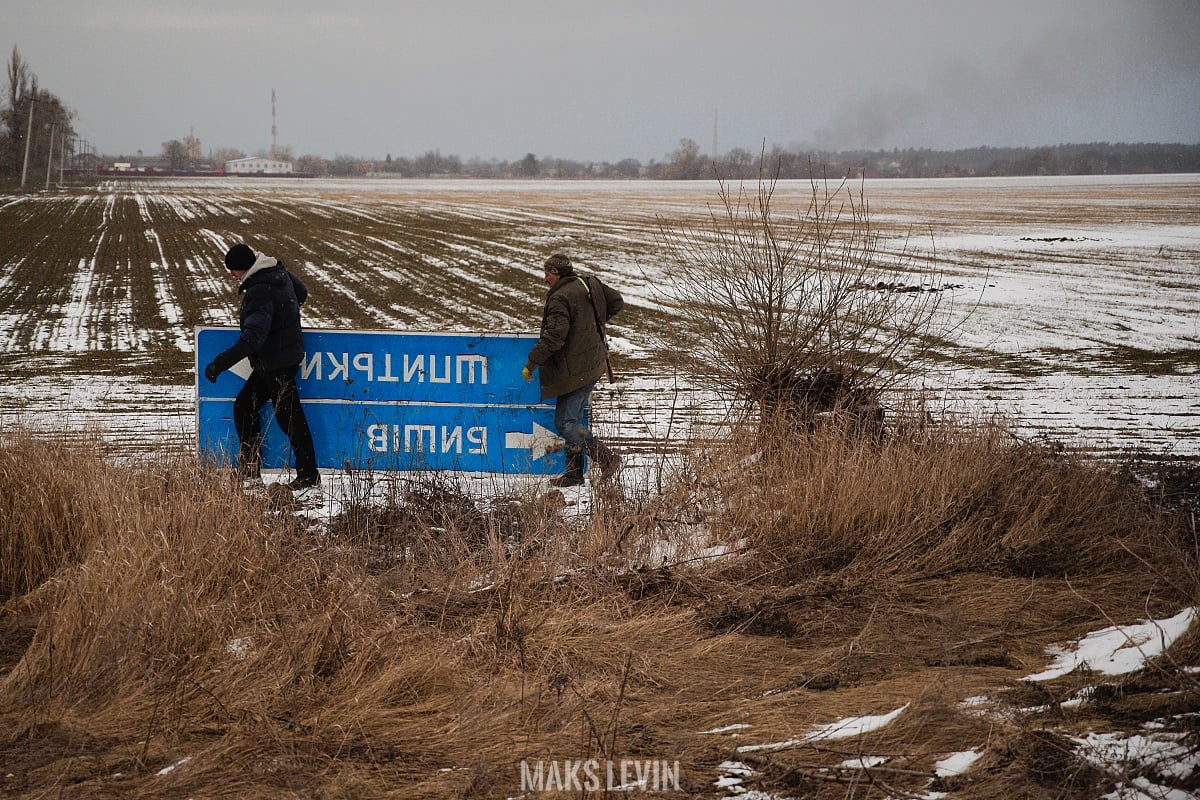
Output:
x=271 y=318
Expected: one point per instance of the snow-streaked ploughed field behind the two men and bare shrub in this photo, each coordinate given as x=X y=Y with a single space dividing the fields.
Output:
x=1077 y=298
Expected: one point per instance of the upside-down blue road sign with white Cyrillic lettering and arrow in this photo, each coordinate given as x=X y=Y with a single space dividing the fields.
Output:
x=380 y=400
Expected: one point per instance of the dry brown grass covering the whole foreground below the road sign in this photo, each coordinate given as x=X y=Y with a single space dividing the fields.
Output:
x=421 y=647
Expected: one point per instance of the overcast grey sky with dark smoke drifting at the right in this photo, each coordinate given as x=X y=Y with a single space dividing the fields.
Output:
x=611 y=80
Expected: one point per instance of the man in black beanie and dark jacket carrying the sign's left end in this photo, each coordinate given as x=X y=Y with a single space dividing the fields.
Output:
x=272 y=340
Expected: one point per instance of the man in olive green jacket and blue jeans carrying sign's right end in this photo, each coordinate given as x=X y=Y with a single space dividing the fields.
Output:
x=571 y=357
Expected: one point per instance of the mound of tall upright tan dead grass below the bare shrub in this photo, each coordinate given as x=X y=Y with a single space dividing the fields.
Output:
x=932 y=500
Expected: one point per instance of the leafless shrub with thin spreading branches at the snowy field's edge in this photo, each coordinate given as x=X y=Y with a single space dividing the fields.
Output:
x=803 y=316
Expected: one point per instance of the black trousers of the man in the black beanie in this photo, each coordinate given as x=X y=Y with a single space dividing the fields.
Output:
x=278 y=388
